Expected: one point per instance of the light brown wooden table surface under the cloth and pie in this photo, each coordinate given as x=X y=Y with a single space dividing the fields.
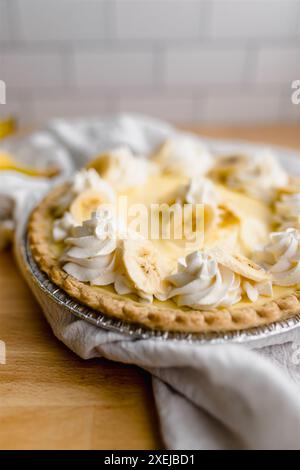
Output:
x=49 y=398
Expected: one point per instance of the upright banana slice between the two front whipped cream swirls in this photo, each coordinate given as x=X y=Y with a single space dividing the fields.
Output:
x=142 y=266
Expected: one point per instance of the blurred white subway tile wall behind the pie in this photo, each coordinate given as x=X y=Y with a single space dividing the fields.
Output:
x=189 y=61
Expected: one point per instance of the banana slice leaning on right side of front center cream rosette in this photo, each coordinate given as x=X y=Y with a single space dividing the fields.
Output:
x=240 y=265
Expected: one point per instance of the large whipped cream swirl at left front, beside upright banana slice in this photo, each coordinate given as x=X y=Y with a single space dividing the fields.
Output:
x=91 y=250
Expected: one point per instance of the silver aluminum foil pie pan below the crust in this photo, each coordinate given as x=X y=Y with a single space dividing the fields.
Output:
x=272 y=333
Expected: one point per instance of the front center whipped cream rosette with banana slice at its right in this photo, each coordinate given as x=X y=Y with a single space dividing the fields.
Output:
x=206 y=280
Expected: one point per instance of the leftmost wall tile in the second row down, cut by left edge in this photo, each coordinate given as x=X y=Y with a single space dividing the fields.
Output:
x=31 y=70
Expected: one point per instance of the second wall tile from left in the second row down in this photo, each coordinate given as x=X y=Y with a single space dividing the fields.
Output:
x=114 y=68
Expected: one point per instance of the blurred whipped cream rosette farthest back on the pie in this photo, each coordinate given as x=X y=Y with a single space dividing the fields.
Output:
x=184 y=156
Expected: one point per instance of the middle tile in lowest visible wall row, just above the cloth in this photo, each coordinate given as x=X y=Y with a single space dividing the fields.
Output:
x=174 y=109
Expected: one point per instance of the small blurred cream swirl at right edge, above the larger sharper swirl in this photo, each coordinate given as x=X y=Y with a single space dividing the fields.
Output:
x=288 y=211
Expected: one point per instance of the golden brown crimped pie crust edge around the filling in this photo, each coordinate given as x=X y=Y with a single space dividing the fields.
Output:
x=150 y=316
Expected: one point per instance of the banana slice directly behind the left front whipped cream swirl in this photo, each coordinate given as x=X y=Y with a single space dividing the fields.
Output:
x=86 y=203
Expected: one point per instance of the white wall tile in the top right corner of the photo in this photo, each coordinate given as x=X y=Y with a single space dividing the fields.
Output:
x=253 y=19
